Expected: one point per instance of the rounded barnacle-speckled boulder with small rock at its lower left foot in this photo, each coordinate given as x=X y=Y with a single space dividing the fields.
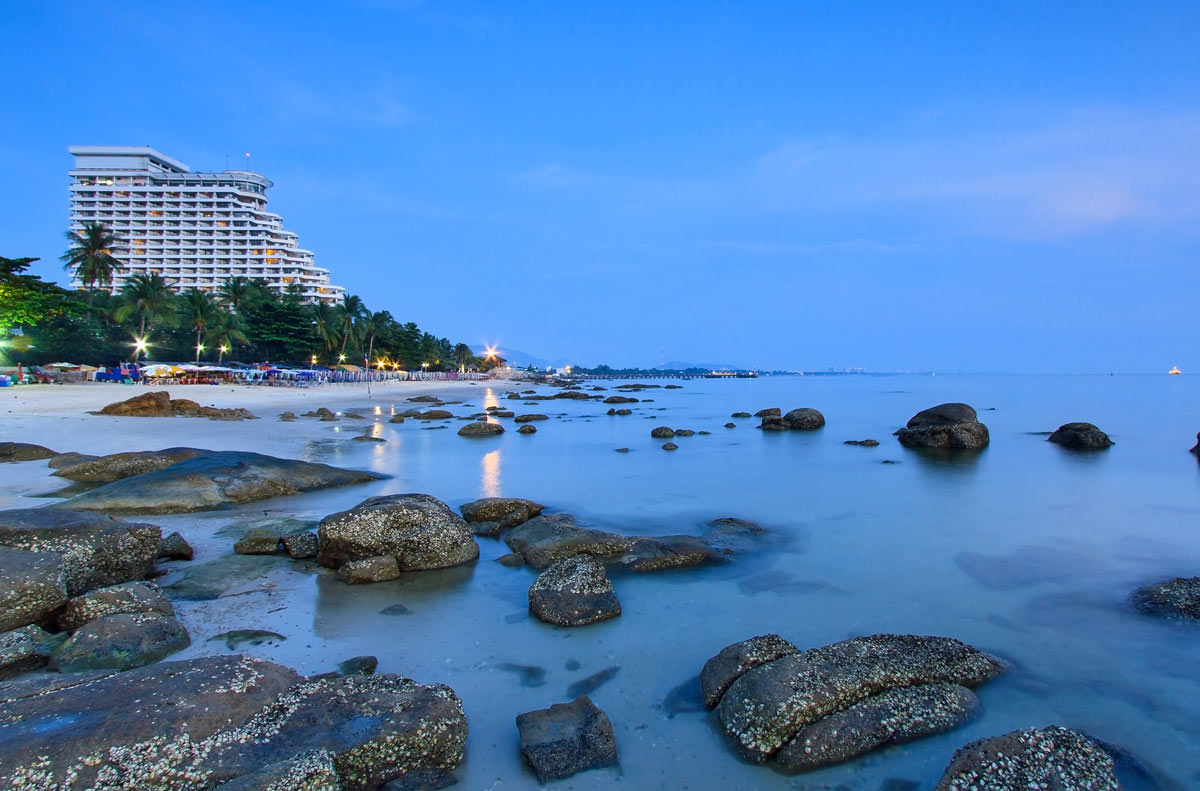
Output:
x=419 y=531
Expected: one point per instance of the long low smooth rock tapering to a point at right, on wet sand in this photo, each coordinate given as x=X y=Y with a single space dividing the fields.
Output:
x=214 y=480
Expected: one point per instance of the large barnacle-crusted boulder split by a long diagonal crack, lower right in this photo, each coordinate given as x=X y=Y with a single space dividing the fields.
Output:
x=782 y=708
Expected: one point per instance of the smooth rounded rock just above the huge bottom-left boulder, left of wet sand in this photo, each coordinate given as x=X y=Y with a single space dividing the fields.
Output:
x=119 y=643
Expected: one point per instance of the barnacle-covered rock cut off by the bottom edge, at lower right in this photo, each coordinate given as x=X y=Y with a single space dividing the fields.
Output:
x=1052 y=758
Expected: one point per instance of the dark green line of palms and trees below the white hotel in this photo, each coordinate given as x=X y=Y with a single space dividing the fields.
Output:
x=245 y=320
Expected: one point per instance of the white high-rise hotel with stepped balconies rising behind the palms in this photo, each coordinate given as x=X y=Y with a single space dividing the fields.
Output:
x=196 y=230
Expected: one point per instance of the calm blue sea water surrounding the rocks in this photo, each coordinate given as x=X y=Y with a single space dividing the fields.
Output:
x=1025 y=550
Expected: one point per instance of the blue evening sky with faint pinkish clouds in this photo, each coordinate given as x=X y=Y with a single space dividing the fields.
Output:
x=895 y=187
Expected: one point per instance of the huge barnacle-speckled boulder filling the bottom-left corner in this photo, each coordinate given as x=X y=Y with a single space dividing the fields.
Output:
x=205 y=722
